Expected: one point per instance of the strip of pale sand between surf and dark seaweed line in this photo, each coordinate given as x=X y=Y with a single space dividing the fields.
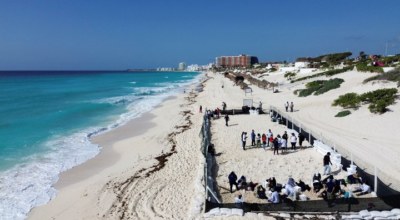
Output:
x=131 y=150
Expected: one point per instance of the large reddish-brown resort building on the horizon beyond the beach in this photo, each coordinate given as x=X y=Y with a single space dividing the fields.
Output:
x=236 y=61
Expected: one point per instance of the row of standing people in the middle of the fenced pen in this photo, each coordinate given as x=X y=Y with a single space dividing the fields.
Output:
x=268 y=139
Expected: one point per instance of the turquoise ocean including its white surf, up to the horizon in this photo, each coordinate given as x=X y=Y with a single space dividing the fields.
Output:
x=47 y=119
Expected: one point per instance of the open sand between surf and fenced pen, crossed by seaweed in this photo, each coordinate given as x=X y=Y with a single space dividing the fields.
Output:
x=126 y=181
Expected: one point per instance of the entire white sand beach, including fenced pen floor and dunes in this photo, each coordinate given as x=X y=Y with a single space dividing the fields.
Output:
x=126 y=181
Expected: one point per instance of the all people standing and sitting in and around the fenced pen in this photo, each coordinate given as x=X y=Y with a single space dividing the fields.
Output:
x=328 y=188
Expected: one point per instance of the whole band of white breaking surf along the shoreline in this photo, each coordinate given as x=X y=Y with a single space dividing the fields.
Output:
x=30 y=184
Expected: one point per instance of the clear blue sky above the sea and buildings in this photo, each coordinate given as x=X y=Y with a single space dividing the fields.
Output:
x=96 y=34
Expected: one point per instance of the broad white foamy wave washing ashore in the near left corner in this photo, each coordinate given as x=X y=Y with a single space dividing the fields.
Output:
x=30 y=184
